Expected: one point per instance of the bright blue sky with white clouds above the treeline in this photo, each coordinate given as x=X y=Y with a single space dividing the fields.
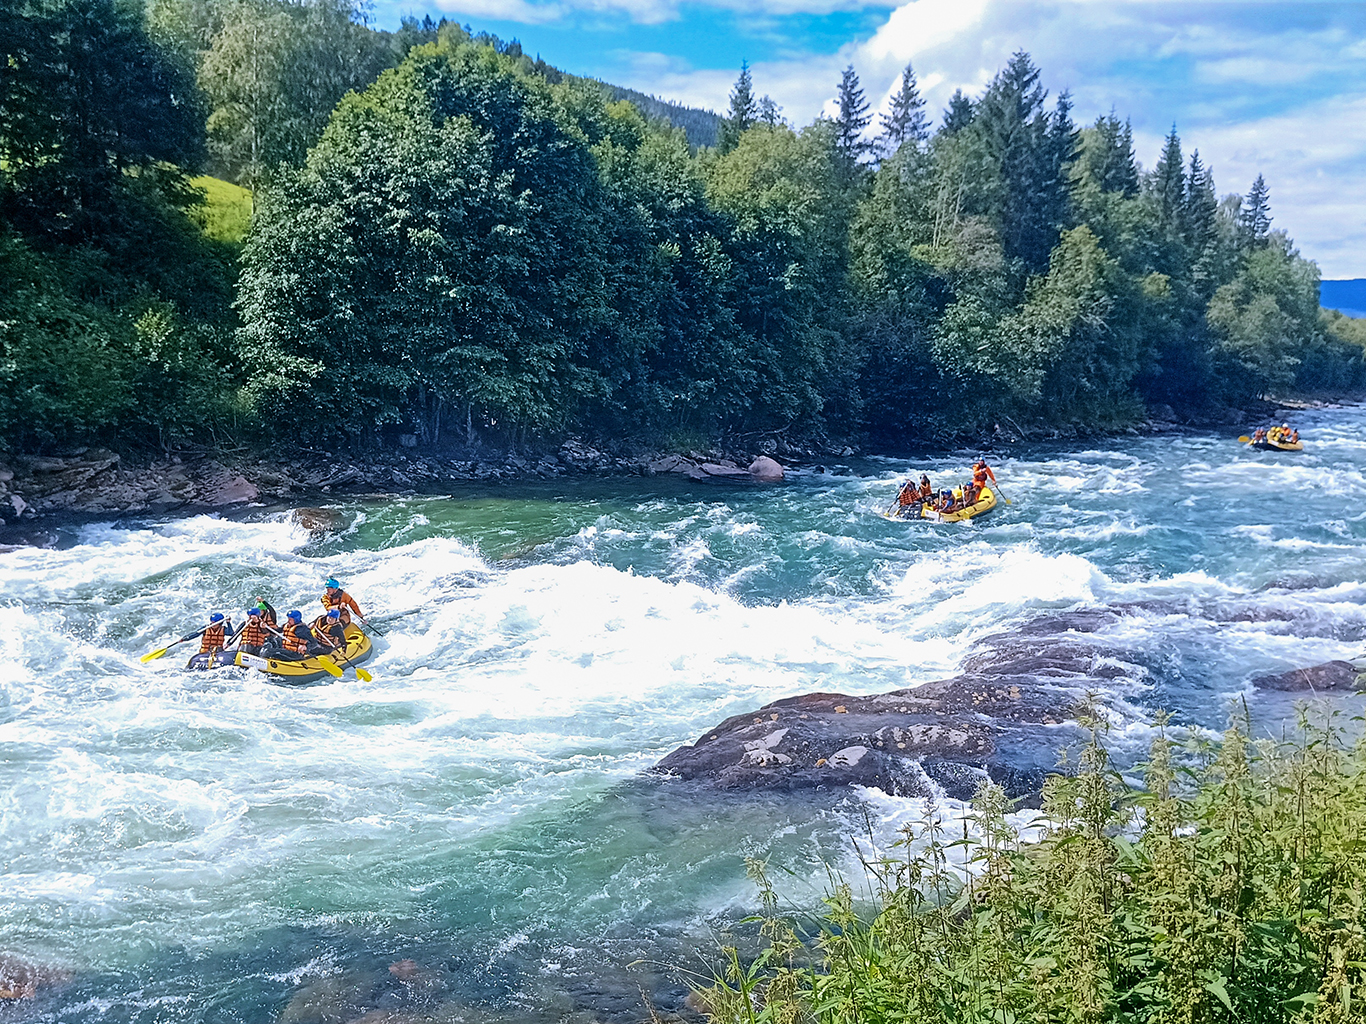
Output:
x=1271 y=88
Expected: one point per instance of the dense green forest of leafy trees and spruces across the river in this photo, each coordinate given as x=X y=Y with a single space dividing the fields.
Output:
x=264 y=222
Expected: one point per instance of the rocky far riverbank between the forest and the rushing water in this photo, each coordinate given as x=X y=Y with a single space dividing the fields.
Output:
x=96 y=481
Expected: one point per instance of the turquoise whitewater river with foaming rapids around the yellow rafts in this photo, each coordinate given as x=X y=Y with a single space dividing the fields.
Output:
x=207 y=847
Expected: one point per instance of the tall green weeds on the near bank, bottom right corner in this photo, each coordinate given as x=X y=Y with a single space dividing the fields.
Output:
x=1230 y=888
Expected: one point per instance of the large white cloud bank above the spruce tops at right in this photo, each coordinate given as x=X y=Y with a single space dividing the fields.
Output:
x=1257 y=88
